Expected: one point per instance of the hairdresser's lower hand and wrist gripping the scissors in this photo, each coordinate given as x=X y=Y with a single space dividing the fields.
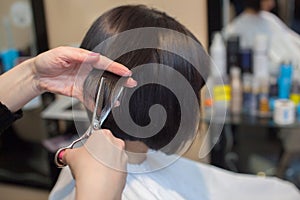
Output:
x=96 y=167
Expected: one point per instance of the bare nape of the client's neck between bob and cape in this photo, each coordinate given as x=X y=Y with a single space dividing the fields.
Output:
x=136 y=151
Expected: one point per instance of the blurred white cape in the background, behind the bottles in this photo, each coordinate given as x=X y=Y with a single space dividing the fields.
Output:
x=284 y=43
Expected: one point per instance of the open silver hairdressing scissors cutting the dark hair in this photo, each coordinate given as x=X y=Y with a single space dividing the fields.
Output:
x=104 y=98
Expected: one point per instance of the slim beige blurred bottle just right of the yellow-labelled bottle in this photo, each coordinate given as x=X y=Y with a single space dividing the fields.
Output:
x=236 y=90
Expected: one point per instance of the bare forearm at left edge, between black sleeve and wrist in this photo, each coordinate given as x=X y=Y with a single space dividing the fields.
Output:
x=18 y=86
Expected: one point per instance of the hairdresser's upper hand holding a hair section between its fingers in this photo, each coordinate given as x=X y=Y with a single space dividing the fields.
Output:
x=58 y=69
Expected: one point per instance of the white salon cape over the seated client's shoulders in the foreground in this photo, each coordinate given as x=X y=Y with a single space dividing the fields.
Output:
x=189 y=180
